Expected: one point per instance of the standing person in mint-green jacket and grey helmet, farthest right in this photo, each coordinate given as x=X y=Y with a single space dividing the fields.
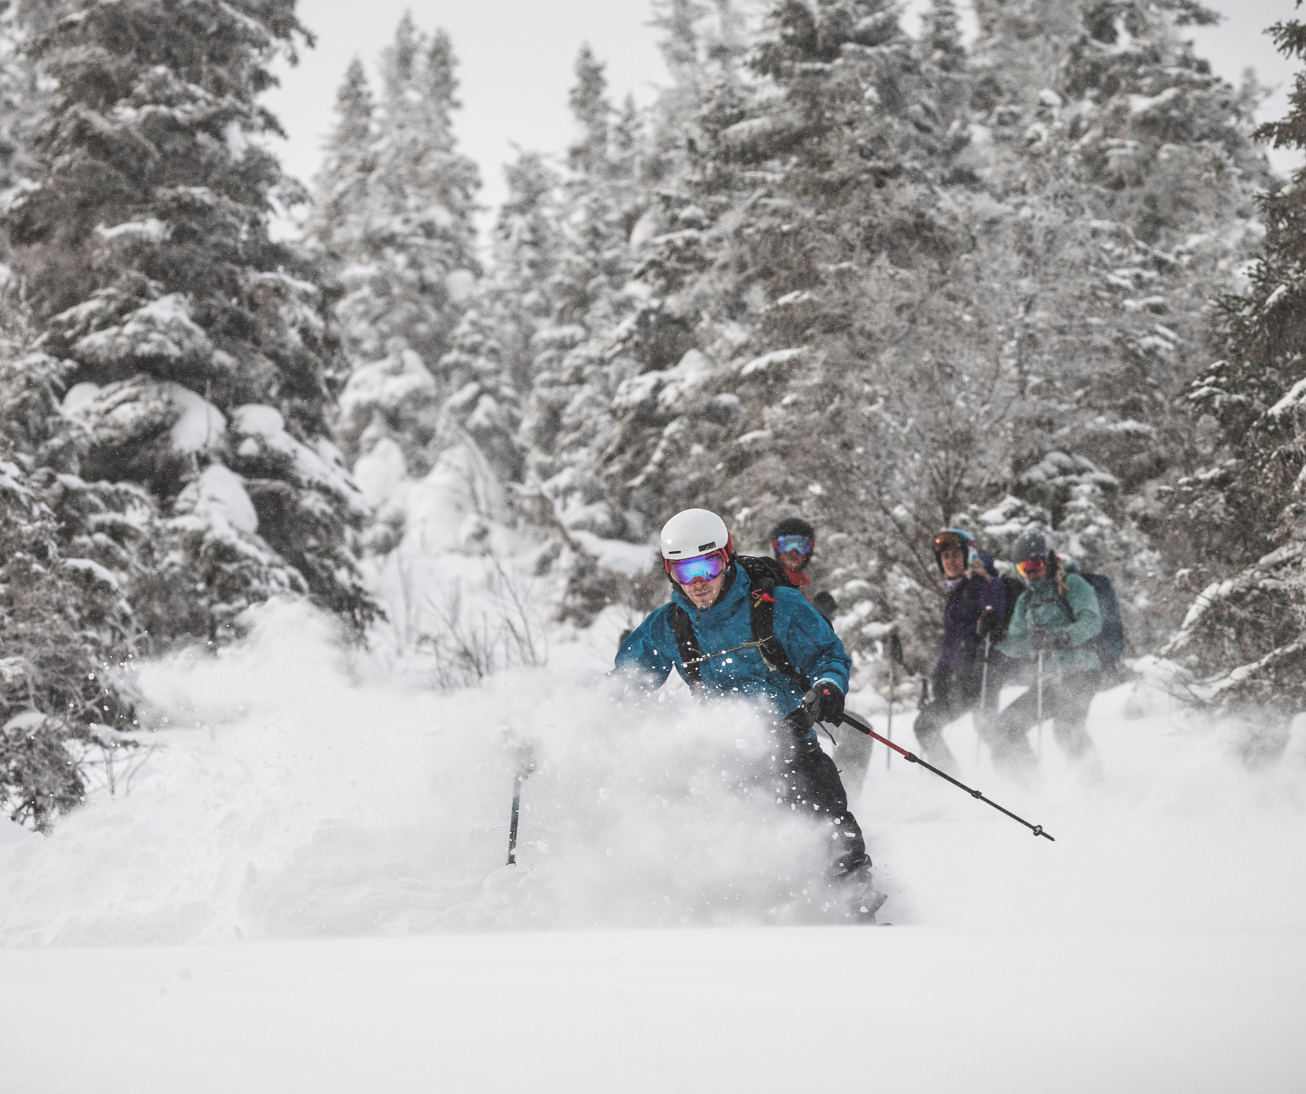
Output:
x=1057 y=618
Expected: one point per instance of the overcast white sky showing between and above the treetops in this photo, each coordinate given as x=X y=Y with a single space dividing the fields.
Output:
x=517 y=66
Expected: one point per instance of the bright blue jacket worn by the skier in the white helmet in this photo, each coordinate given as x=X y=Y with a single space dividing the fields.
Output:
x=651 y=652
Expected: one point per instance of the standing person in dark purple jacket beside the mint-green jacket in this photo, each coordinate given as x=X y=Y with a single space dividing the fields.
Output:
x=975 y=610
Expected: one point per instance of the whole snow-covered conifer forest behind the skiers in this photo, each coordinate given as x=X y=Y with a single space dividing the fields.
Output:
x=884 y=273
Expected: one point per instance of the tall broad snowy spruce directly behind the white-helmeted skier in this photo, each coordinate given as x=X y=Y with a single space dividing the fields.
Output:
x=778 y=284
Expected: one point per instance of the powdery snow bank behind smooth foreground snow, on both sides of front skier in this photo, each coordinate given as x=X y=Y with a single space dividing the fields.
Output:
x=298 y=790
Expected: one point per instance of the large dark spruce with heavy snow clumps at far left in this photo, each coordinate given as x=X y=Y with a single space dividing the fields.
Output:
x=202 y=364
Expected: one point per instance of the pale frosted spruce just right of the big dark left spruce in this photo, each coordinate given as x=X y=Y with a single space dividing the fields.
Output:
x=407 y=259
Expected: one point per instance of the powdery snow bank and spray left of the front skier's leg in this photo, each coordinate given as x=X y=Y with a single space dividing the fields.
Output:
x=293 y=793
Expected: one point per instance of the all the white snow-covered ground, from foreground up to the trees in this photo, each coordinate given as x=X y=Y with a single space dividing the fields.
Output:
x=298 y=886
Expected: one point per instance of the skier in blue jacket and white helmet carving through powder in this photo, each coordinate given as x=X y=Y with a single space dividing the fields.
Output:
x=716 y=653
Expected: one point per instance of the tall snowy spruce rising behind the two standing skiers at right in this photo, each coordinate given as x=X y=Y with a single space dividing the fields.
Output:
x=1132 y=177
